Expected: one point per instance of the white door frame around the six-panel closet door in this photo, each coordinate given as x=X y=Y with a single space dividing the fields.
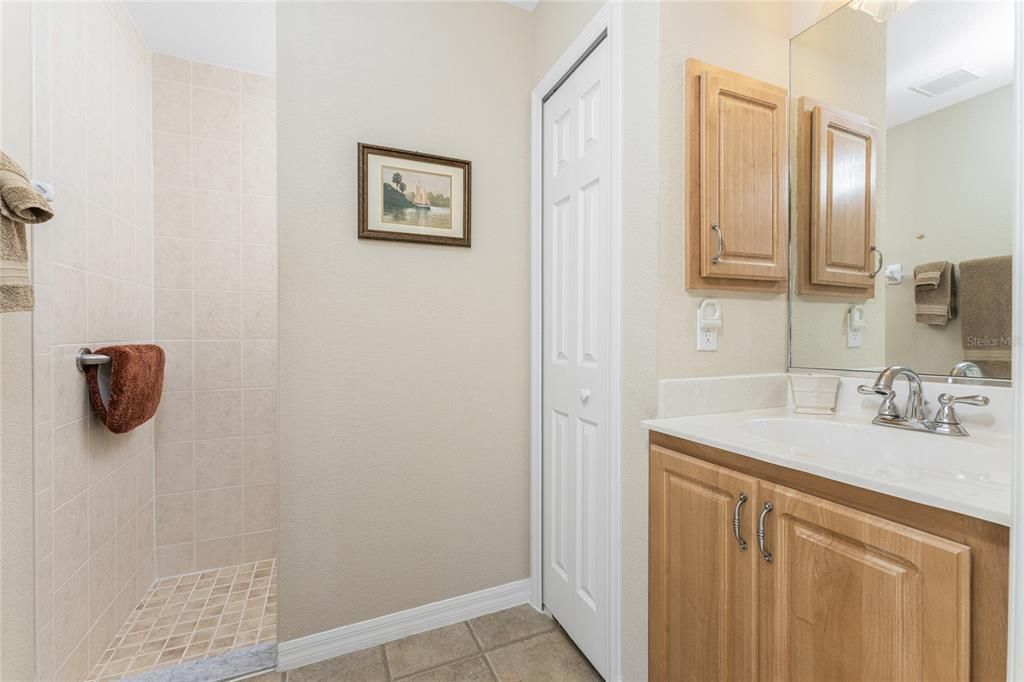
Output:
x=607 y=22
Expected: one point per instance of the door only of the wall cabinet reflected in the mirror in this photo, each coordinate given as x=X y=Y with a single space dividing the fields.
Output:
x=843 y=151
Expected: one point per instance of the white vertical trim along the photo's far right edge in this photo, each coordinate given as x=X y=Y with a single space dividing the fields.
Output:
x=1015 y=652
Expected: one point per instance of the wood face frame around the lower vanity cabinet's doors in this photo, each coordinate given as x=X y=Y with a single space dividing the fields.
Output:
x=990 y=543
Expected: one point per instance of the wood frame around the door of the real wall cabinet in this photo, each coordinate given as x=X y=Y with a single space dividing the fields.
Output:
x=697 y=244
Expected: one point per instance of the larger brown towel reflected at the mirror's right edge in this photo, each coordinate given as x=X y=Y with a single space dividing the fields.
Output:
x=987 y=293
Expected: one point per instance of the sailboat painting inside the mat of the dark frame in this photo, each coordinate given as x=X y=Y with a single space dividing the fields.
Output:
x=416 y=198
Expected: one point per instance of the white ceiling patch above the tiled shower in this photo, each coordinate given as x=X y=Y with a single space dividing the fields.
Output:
x=240 y=35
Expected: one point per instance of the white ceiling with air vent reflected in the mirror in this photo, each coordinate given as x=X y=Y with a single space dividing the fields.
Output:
x=935 y=36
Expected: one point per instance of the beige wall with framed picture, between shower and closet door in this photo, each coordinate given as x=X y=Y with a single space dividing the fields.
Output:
x=405 y=470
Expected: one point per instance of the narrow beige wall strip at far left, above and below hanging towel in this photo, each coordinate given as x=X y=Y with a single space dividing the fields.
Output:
x=17 y=557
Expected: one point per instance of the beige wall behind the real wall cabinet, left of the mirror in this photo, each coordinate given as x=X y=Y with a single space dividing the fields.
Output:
x=751 y=38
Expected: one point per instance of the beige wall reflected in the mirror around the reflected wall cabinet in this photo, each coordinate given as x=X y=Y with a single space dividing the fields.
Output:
x=842 y=62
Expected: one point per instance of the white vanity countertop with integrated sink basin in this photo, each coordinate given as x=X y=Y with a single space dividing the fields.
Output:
x=969 y=476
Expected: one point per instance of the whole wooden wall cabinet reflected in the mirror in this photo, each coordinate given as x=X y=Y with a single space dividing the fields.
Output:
x=838 y=169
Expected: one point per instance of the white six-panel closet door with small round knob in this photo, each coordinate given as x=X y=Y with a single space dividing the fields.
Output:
x=577 y=297
